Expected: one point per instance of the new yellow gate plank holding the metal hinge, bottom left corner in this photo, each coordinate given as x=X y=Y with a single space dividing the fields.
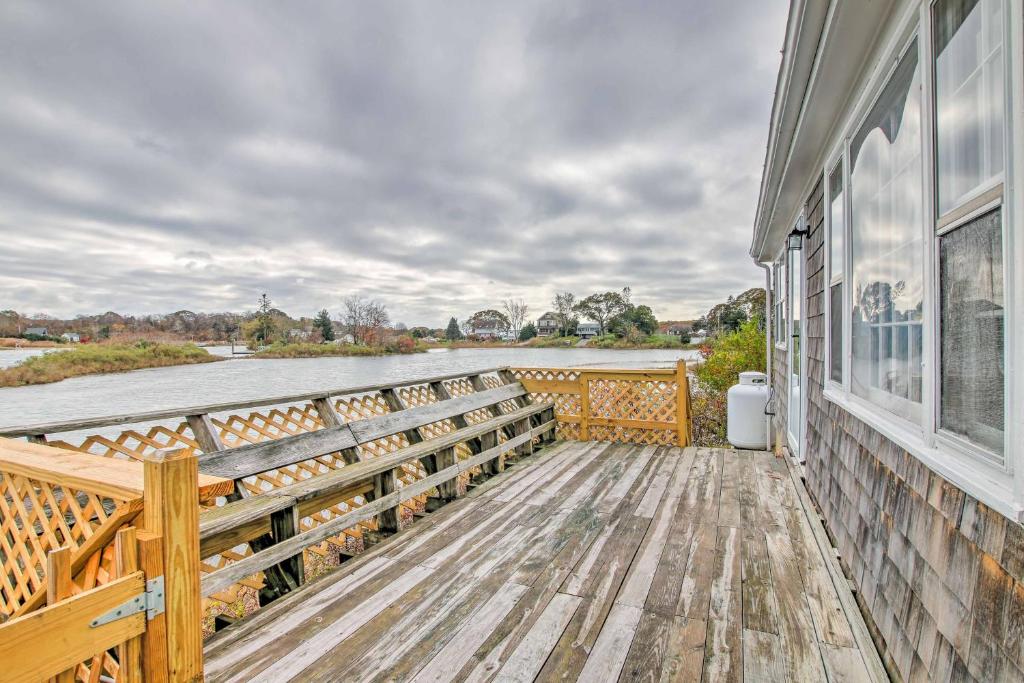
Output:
x=56 y=638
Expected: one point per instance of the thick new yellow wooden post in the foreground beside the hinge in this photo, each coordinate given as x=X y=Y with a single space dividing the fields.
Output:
x=172 y=500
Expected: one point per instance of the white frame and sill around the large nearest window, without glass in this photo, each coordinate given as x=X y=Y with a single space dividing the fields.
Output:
x=1000 y=486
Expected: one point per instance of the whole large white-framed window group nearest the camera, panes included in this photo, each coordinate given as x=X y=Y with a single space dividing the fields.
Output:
x=922 y=259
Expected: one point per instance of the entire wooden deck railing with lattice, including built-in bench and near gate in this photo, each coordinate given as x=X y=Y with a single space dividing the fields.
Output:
x=284 y=484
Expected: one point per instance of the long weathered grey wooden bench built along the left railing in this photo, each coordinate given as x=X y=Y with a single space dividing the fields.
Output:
x=270 y=522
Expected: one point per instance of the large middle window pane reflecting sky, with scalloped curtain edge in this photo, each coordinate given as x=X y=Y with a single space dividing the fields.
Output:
x=886 y=246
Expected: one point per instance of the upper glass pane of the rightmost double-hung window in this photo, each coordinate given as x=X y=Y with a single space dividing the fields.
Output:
x=969 y=97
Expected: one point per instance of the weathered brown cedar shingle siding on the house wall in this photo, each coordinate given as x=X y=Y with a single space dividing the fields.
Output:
x=938 y=572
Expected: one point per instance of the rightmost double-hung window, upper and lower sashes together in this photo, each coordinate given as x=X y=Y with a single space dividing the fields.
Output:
x=969 y=143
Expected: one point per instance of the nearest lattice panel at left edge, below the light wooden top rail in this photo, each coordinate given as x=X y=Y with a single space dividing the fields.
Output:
x=35 y=519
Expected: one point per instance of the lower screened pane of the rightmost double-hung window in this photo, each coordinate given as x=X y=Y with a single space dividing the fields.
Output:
x=973 y=371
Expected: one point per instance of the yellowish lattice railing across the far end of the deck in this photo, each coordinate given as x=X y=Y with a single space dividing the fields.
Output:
x=625 y=406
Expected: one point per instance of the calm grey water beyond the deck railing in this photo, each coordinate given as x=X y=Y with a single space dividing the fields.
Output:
x=244 y=378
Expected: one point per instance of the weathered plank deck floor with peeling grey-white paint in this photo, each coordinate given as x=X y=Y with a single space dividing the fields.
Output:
x=590 y=562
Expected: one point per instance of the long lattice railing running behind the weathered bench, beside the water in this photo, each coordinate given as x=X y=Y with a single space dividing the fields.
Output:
x=206 y=430
